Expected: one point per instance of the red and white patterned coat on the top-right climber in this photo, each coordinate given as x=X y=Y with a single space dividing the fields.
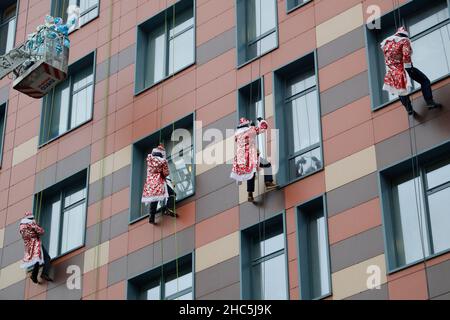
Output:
x=397 y=54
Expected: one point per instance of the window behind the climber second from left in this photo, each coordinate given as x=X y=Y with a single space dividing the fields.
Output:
x=179 y=144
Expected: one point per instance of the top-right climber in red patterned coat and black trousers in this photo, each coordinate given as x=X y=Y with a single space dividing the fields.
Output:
x=398 y=58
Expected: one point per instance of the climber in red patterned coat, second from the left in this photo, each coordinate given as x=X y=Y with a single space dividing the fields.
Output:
x=156 y=186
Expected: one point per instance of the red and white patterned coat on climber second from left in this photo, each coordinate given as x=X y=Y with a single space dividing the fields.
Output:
x=155 y=187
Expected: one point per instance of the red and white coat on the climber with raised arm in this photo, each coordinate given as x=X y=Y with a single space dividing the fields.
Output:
x=245 y=161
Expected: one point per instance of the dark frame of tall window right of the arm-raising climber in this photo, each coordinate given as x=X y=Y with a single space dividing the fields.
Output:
x=279 y=104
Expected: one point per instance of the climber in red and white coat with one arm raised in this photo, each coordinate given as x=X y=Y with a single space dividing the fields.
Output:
x=246 y=161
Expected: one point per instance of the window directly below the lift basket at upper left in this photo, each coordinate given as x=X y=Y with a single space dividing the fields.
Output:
x=70 y=104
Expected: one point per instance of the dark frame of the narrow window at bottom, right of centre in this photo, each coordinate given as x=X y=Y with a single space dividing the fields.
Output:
x=299 y=207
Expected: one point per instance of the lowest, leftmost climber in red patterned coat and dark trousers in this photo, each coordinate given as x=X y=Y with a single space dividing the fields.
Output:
x=35 y=254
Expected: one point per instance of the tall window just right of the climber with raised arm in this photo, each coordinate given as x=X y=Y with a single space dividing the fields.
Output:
x=298 y=119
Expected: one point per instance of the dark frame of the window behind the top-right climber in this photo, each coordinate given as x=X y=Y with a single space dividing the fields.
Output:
x=374 y=73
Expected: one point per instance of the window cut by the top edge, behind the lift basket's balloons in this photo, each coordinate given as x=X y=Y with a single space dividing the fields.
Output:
x=88 y=9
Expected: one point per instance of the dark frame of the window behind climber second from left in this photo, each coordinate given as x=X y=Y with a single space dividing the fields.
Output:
x=137 y=158
